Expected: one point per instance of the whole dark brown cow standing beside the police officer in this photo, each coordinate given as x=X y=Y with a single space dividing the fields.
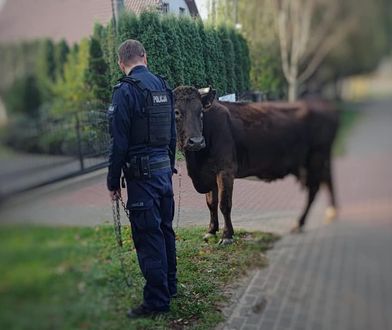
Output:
x=222 y=141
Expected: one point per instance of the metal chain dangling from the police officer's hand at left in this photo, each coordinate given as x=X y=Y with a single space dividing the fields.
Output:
x=117 y=231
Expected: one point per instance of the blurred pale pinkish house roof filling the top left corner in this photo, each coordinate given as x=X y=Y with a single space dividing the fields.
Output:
x=56 y=19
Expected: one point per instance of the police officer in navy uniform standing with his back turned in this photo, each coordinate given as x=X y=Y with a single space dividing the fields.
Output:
x=143 y=142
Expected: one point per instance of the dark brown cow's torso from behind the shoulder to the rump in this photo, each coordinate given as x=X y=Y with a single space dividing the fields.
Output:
x=273 y=139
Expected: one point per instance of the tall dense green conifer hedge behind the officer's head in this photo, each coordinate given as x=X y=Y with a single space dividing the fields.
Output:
x=182 y=49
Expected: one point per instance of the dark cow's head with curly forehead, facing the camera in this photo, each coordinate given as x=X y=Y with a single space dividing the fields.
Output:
x=190 y=104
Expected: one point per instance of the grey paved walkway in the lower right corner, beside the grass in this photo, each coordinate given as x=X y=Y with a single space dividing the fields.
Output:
x=335 y=277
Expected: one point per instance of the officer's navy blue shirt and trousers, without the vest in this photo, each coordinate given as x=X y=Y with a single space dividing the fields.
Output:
x=150 y=200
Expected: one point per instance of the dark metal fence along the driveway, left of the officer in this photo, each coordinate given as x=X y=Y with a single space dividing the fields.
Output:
x=38 y=152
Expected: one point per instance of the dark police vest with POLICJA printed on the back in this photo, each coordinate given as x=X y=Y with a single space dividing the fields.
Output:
x=152 y=127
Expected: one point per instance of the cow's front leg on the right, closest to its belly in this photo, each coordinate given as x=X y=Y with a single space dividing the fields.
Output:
x=225 y=181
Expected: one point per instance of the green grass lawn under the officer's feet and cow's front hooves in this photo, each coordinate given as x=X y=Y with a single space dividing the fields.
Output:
x=70 y=278
